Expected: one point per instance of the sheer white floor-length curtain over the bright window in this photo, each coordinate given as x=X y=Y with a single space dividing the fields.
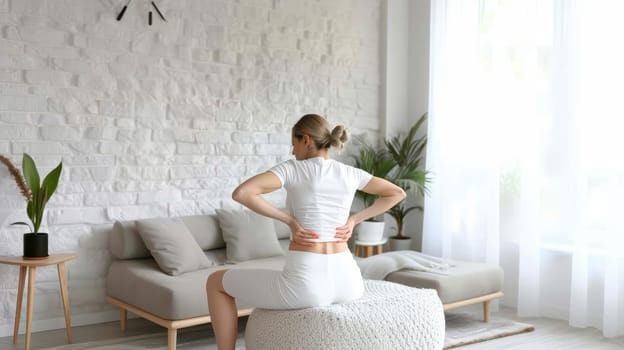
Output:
x=526 y=148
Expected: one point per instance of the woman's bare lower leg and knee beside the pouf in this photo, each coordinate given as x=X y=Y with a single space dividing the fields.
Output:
x=222 y=308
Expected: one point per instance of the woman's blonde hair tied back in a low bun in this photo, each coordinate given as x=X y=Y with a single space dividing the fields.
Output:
x=317 y=128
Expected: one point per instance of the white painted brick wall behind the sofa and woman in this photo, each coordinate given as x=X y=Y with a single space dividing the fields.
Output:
x=163 y=120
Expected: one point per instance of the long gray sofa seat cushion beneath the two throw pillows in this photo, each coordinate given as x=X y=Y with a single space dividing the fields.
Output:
x=142 y=284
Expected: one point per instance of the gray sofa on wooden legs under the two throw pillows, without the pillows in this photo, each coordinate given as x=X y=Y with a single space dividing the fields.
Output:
x=136 y=283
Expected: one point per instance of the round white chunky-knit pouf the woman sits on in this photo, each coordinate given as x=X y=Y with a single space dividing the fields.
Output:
x=388 y=316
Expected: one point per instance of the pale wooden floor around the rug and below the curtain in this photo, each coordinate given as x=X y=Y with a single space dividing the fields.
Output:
x=548 y=335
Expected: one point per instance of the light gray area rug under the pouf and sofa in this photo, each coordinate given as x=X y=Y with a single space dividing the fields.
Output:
x=461 y=329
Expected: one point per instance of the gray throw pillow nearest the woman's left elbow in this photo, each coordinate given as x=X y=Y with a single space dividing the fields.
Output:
x=248 y=235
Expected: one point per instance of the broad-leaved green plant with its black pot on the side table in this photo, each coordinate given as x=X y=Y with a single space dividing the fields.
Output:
x=37 y=194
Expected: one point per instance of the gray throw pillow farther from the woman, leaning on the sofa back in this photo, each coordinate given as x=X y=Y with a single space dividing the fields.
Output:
x=172 y=245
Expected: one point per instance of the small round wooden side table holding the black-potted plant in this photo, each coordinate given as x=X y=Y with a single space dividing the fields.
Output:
x=31 y=265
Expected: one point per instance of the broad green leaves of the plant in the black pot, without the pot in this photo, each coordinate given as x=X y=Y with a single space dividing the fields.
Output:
x=37 y=193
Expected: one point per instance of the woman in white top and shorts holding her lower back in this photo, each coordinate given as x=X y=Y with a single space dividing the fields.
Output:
x=319 y=268
